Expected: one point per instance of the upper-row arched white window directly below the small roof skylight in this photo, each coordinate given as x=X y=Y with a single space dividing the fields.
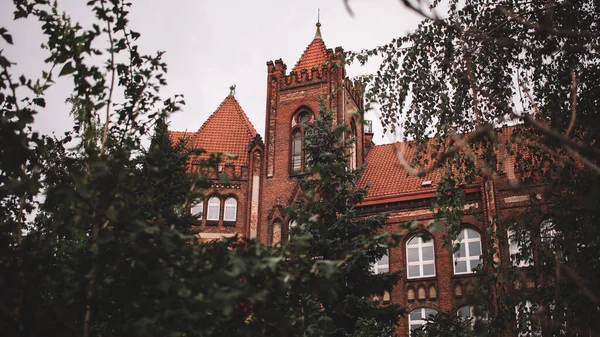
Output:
x=420 y=257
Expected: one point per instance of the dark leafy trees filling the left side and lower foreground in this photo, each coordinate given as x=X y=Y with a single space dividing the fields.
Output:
x=111 y=251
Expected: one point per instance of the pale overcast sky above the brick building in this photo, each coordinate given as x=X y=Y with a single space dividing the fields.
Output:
x=211 y=45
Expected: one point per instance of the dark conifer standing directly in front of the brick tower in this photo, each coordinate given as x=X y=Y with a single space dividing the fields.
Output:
x=326 y=213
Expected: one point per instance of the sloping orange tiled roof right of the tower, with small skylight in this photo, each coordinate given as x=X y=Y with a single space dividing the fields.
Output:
x=386 y=176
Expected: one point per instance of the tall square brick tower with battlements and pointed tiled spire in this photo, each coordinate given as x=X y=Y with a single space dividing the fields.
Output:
x=293 y=101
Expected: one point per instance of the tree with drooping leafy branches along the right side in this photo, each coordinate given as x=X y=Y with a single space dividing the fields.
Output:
x=495 y=82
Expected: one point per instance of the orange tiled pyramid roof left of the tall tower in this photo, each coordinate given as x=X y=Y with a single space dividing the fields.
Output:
x=227 y=130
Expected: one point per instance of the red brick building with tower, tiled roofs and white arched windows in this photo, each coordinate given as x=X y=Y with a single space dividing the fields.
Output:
x=265 y=170
